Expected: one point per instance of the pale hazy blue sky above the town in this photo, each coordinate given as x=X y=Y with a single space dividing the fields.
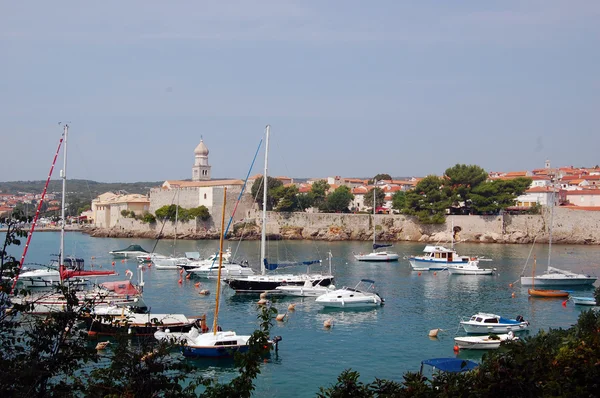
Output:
x=350 y=88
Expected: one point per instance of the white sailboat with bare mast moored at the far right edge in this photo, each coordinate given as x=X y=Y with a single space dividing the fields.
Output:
x=555 y=276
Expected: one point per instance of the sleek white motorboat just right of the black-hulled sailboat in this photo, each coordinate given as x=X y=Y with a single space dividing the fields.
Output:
x=360 y=296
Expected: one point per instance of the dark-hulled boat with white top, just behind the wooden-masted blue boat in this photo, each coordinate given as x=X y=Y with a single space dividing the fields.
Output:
x=112 y=320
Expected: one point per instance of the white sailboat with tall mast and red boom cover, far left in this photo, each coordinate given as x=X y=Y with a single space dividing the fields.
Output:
x=67 y=269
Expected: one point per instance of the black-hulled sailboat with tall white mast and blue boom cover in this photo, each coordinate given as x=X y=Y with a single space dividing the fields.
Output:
x=263 y=282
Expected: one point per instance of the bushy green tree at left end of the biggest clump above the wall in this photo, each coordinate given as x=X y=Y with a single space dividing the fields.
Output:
x=428 y=201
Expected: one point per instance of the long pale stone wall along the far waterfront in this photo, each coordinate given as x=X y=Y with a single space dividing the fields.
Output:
x=569 y=226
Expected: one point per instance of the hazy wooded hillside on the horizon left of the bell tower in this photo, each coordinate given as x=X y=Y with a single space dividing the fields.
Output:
x=82 y=188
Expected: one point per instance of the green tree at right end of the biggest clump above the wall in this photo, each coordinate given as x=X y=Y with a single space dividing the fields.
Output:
x=493 y=196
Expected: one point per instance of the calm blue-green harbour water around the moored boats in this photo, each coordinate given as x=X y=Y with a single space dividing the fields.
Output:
x=384 y=342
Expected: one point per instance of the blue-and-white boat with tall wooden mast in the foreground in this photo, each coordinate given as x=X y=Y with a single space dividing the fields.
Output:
x=199 y=341
